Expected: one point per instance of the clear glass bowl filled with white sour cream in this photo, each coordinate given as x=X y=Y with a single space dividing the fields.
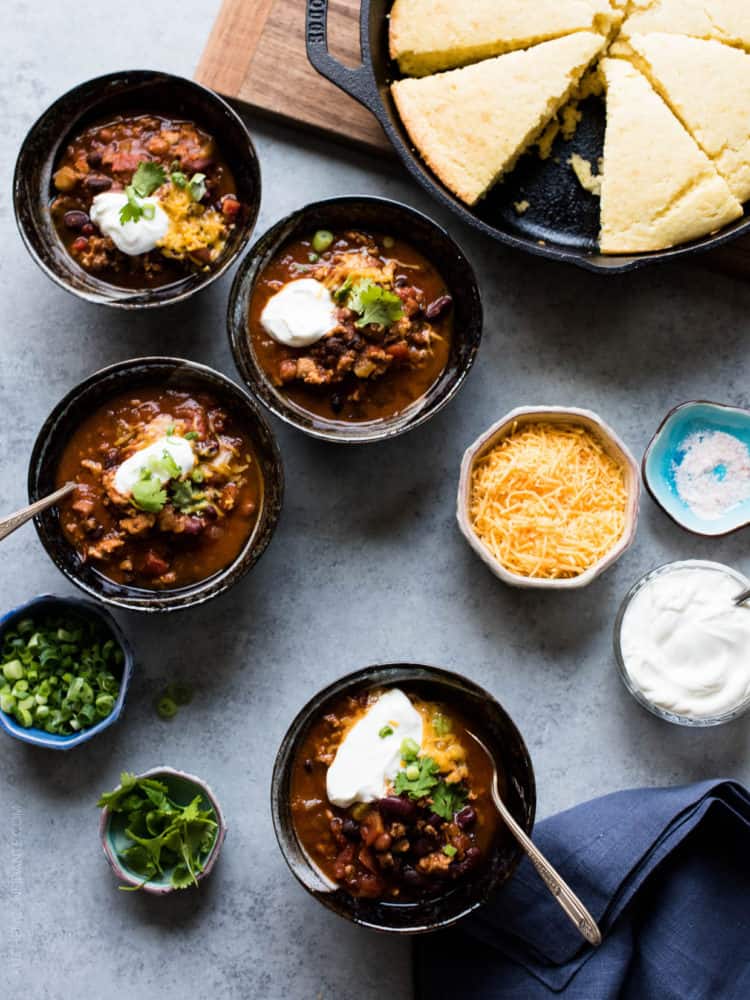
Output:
x=683 y=646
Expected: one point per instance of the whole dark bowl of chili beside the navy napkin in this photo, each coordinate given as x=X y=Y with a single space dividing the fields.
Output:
x=432 y=849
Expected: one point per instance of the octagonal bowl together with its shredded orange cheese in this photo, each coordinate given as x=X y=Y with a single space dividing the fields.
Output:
x=548 y=497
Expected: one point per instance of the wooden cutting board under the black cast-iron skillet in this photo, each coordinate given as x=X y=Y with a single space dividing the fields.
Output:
x=256 y=54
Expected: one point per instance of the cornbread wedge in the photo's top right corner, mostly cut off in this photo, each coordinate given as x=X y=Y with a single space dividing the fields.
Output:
x=723 y=20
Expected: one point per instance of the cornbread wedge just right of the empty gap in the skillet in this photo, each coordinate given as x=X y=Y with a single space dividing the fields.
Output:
x=659 y=187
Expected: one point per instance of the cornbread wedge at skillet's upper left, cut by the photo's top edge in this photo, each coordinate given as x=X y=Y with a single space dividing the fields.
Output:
x=431 y=35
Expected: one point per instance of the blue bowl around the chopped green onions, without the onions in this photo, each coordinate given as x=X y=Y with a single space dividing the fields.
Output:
x=47 y=603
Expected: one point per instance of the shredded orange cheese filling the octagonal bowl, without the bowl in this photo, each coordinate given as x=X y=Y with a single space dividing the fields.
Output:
x=548 y=501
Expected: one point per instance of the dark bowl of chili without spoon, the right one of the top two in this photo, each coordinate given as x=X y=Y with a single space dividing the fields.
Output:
x=399 y=328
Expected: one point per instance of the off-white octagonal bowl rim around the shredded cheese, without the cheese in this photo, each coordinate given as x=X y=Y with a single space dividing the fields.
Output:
x=611 y=443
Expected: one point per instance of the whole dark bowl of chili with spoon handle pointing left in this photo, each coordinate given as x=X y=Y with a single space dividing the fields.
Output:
x=179 y=484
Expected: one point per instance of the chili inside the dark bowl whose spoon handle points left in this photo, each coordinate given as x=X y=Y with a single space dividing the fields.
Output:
x=168 y=532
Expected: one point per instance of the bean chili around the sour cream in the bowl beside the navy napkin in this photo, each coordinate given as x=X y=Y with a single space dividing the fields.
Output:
x=398 y=848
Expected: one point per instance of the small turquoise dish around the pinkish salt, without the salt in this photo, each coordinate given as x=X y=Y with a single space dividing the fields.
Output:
x=666 y=452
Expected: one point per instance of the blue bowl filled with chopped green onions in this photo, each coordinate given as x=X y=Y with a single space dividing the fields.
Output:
x=65 y=667
